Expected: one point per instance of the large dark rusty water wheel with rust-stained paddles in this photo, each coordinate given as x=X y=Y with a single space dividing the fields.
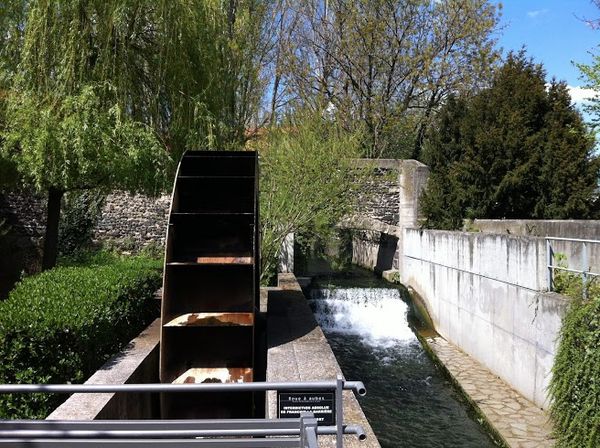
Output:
x=210 y=290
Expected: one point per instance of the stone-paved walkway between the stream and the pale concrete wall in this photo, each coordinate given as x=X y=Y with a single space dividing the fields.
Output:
x=517 y=420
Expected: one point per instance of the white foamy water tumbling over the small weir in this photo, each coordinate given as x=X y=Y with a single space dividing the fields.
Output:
x=378 y=315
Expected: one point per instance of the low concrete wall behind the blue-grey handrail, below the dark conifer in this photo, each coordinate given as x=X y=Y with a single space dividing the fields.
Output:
x=581 y=229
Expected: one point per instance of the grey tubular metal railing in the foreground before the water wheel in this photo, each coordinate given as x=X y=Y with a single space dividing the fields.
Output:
x=280 y=433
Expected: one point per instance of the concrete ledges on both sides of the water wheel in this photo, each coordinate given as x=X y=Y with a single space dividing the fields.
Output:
x=297 y=351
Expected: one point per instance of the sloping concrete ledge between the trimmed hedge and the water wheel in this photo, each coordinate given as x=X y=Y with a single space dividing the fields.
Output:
x=137 y=363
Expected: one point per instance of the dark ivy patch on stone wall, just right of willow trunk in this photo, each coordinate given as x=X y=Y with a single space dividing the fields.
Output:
x=81 y=211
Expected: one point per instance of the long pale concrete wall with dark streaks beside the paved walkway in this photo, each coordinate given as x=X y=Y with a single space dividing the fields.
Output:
x=483 y=292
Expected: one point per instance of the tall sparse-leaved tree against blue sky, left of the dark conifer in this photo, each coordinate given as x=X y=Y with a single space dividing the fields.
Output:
x=386 y=66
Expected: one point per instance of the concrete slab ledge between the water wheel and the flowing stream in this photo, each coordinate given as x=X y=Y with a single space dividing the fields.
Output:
x=299 y=351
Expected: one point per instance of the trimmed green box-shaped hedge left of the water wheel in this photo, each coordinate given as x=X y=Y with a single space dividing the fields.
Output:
x=61 y=325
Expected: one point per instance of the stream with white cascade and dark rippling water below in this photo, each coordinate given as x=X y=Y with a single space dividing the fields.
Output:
x=409 y=402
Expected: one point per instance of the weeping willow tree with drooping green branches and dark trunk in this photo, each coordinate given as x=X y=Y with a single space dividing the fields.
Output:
x=108 y=93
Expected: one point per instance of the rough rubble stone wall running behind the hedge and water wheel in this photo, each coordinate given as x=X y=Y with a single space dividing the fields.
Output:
x=131 y=222
